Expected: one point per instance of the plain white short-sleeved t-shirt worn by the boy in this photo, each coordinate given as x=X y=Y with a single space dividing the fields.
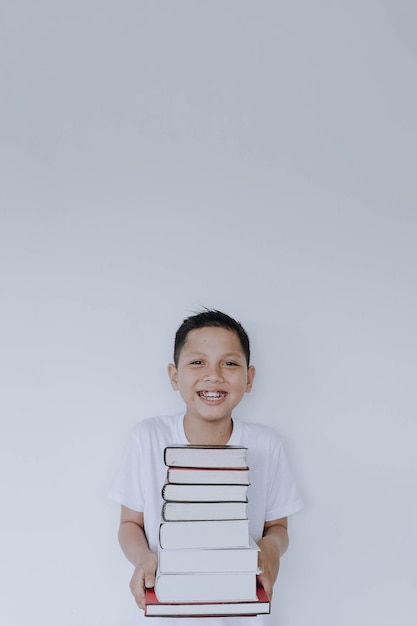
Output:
x=272 y=493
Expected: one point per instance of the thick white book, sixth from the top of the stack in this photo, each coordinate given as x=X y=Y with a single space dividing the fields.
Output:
x=200 y=560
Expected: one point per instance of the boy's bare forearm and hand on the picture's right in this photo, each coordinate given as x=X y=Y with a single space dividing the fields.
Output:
x=273 y=545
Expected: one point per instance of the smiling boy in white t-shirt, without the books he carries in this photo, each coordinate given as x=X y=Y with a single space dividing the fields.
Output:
x=212 y=372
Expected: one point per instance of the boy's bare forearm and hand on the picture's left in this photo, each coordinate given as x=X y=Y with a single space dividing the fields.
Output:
x=135 y=546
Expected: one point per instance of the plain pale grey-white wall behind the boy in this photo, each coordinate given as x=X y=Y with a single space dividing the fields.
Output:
x=257 y=157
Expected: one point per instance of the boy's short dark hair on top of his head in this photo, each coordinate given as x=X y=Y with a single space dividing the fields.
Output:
x=214 y=318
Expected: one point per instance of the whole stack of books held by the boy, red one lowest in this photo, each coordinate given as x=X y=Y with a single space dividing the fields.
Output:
x=207 y=562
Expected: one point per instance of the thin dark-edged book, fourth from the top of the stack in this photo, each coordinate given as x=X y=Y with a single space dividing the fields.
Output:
x=183 y=511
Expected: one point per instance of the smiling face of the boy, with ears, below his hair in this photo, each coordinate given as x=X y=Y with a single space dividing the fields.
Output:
x=212 y=374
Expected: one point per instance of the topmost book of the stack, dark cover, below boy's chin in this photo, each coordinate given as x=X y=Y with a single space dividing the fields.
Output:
x=205 y=456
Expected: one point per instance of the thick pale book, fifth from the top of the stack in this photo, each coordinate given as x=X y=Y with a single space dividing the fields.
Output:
x=204 y=534
